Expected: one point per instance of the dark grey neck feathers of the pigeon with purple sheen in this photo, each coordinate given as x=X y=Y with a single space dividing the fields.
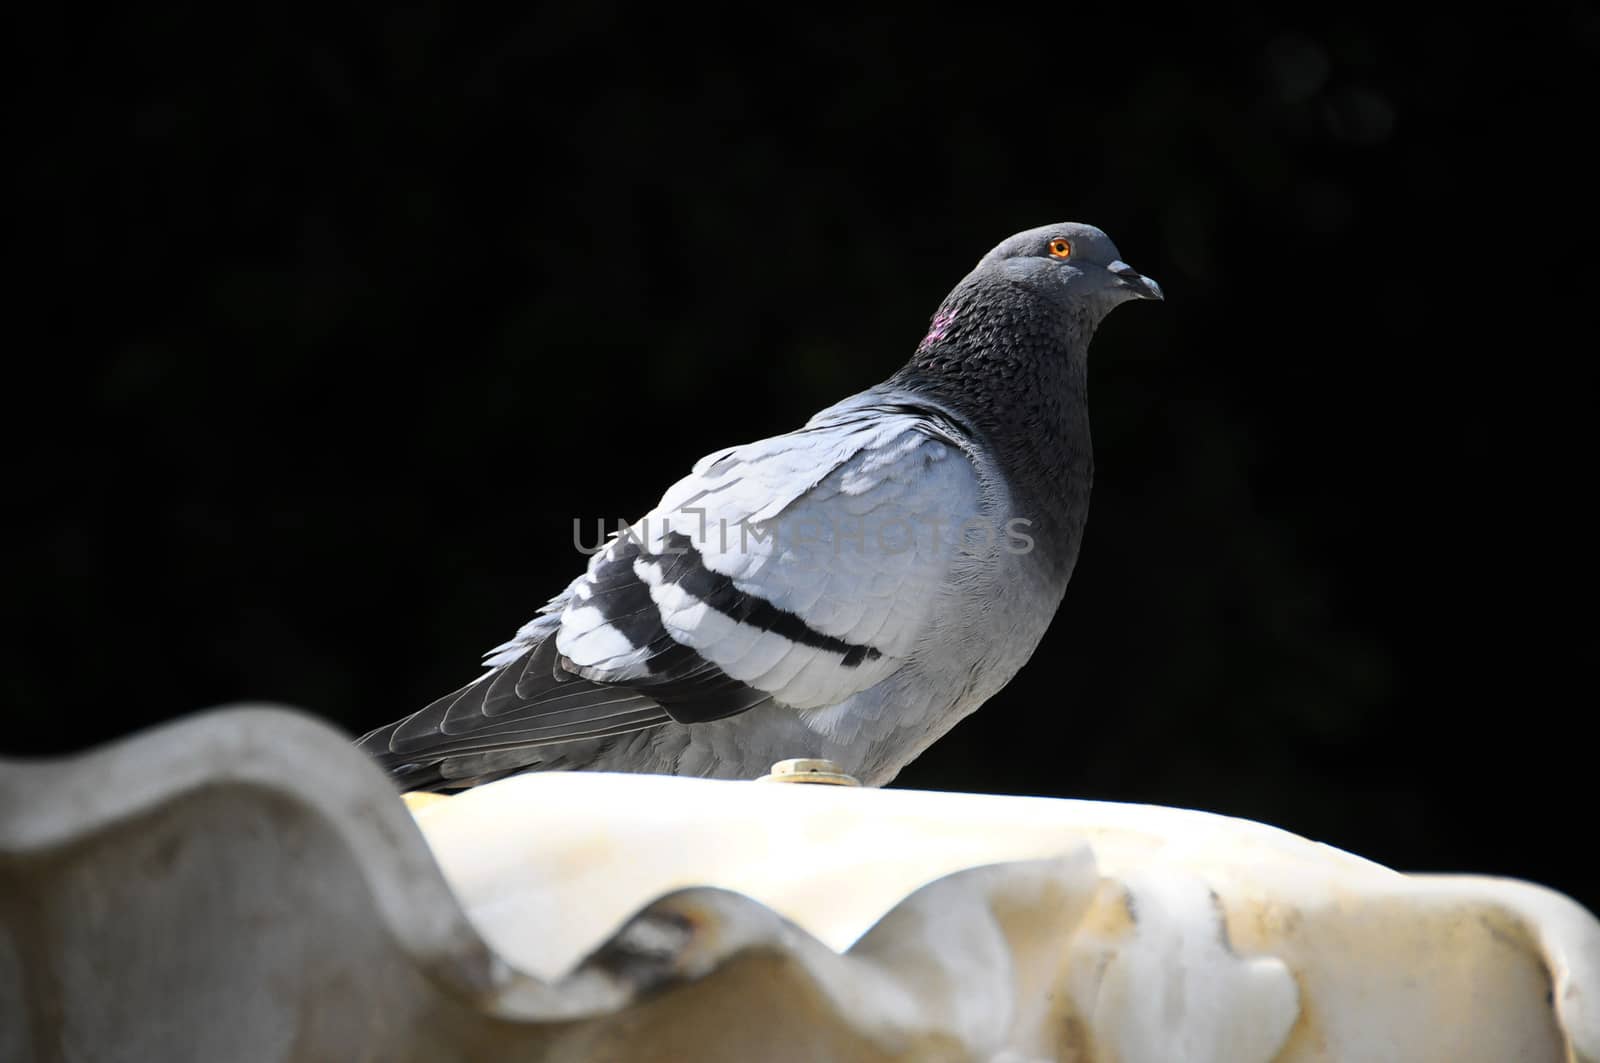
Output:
x=1015 y=369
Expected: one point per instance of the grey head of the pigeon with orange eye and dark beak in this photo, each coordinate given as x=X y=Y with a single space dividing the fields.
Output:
x=1071 y=263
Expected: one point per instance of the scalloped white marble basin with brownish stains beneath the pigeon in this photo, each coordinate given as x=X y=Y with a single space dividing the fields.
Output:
x=246 y=886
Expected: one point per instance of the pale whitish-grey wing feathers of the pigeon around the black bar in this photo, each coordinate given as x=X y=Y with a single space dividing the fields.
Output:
x=862 y=513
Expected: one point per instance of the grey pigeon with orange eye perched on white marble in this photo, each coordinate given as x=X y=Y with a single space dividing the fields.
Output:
x=849 y=592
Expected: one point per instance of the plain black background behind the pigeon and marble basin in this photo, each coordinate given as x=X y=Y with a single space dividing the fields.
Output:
x=326 y=332
